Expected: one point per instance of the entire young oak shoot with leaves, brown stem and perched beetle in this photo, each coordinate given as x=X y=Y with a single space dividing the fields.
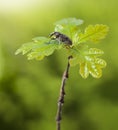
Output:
x=67 y=34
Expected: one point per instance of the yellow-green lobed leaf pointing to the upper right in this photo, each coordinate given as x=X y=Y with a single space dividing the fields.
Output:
x=94 y=33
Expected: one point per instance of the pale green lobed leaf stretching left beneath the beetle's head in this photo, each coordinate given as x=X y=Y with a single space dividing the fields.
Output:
x=40 y=48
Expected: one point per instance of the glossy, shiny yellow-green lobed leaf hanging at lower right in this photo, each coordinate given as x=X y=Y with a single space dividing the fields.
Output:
x=88 y=61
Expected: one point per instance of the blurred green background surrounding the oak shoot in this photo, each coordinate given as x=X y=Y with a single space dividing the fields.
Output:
x=29 y=89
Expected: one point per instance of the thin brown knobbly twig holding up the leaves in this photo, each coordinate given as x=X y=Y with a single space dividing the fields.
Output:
x=61 y=96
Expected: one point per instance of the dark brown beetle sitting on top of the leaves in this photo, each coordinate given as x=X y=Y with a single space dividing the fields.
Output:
x=61 y=38
